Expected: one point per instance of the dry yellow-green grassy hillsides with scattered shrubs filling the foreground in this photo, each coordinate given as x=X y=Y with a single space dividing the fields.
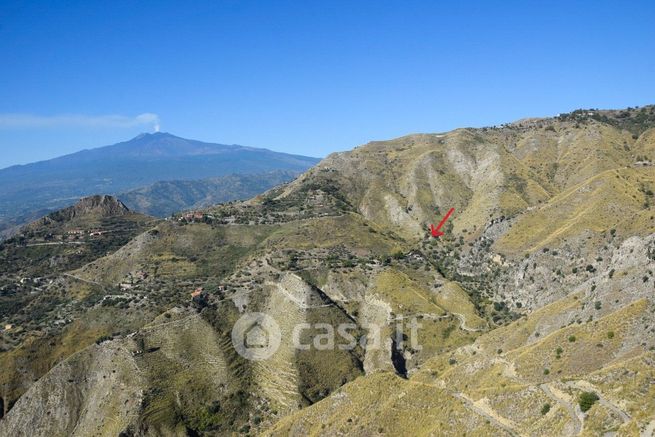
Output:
x=536 y=308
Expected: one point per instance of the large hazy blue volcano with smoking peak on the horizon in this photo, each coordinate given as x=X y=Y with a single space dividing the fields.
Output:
x=30 y=191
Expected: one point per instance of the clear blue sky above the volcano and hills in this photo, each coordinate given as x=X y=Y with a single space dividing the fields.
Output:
x=308 y=77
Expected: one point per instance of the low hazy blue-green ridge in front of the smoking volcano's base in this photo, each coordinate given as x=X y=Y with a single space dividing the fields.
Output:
x=163 y=198
